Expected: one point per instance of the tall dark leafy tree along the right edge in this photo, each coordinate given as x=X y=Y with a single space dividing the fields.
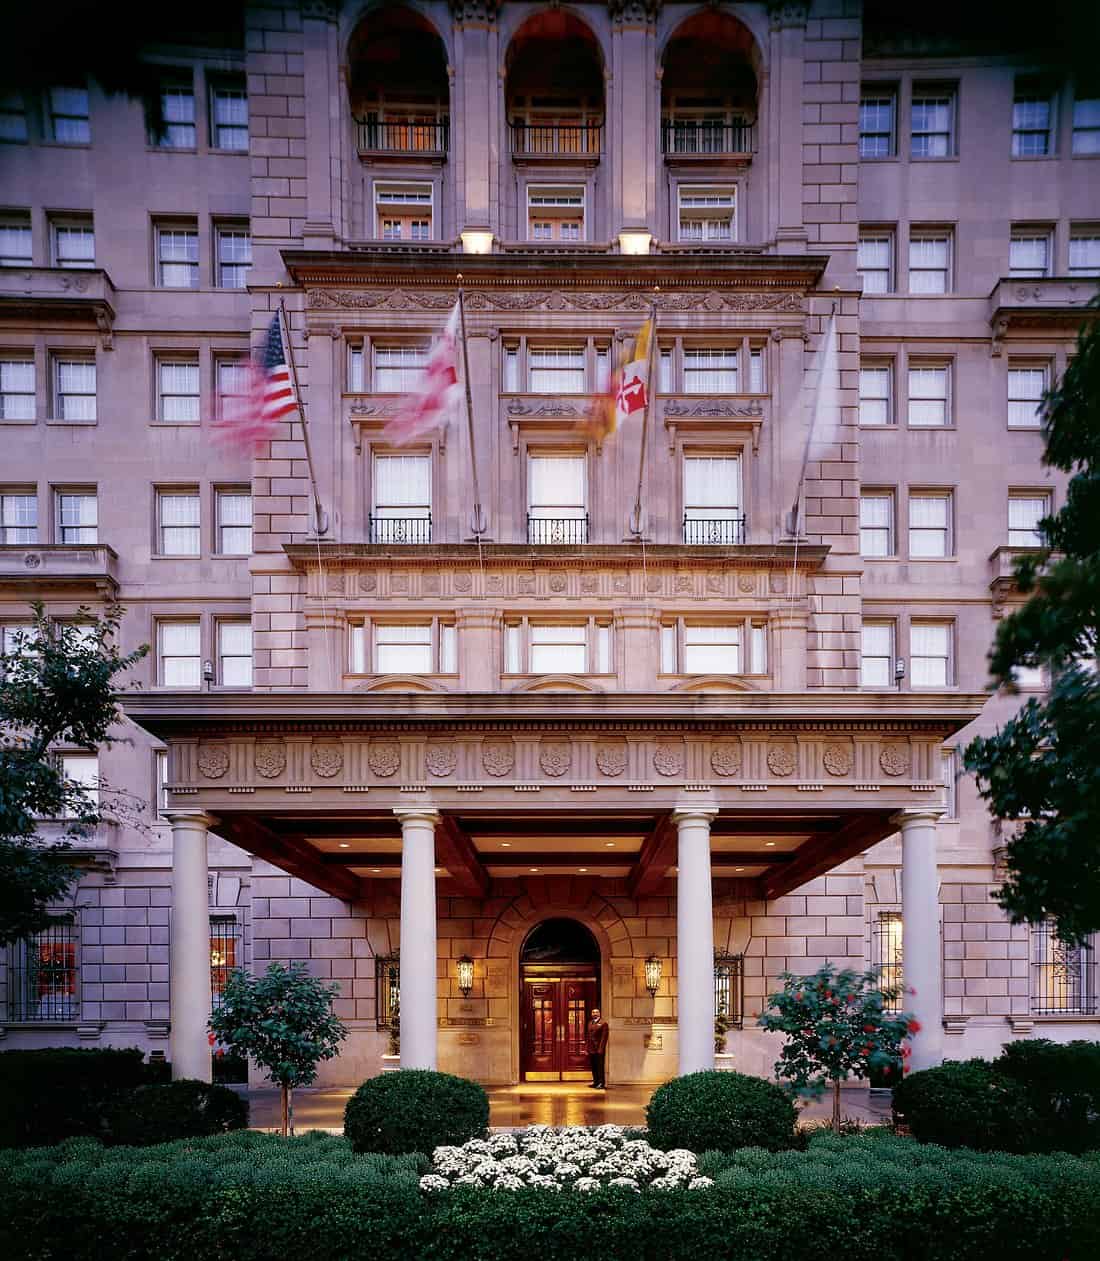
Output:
x=1041 y=771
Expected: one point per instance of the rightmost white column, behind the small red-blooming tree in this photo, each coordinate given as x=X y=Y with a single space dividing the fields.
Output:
x=922 y=953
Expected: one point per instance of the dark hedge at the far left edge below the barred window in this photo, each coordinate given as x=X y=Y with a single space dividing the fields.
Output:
x=54 y=1094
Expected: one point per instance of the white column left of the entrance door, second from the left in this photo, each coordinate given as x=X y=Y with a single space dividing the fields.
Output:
x=418 y=938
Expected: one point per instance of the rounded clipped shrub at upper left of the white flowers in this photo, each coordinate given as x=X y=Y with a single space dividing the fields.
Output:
x=416 y=1110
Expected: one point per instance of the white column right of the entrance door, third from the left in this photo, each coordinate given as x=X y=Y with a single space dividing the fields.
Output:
x=694 y=940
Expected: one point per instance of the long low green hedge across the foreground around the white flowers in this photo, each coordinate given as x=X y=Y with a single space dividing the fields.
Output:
x=253 y=1197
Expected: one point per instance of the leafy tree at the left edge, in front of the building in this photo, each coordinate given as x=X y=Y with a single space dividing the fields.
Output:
x=60 y=687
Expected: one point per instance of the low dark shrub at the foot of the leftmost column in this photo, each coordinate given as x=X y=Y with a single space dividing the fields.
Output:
x=176 y=1110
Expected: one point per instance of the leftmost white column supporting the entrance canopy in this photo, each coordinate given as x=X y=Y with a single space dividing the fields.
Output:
x=190 y=949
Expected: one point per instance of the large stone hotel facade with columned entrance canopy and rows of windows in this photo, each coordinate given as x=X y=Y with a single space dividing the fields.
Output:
x=720 y=735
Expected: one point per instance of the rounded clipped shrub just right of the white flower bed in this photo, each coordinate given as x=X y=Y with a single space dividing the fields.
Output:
x=721 y=1113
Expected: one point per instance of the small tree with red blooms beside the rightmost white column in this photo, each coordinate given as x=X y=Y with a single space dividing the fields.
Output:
x=837 y=1027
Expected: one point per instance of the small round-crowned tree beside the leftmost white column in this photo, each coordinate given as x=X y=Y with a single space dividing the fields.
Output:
x=284 y=1022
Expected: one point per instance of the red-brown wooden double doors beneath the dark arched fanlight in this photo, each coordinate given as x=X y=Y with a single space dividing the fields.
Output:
x=556 y=1007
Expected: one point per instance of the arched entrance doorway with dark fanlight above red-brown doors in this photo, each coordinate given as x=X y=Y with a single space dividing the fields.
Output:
x=559 y=987
